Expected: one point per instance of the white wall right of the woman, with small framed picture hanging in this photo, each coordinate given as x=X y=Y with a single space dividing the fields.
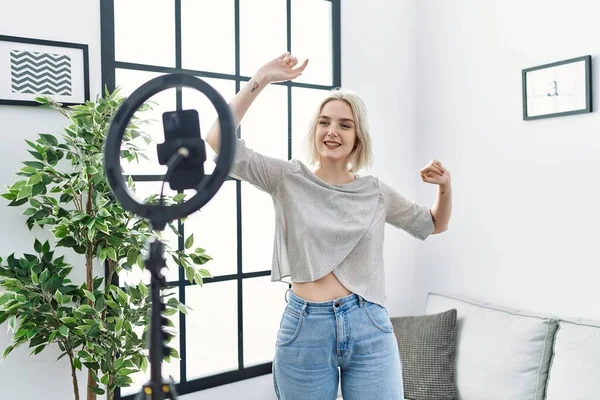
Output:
x=524 y=229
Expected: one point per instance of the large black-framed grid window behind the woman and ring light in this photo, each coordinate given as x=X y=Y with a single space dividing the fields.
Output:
x=230 y=333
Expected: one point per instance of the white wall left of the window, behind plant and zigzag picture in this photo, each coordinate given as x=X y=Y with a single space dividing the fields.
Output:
x=51 y=21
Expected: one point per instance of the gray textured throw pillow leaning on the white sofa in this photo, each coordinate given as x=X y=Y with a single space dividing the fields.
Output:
x=427 y=347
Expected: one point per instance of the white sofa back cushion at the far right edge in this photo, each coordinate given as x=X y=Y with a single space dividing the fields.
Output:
x=575 y=367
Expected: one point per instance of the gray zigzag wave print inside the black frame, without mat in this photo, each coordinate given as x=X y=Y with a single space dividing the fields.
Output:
x=40 y=73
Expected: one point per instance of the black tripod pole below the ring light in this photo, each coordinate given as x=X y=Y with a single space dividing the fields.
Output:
x=157 y=388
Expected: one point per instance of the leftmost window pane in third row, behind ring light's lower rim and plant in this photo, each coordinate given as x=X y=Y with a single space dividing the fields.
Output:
x=142 y=191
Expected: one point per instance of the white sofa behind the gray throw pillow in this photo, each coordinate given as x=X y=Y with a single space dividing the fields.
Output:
x=507 y=354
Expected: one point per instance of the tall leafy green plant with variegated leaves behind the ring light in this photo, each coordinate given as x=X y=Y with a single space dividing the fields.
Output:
x=95 y=323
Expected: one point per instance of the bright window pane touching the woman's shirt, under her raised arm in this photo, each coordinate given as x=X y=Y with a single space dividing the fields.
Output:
x=258 y=228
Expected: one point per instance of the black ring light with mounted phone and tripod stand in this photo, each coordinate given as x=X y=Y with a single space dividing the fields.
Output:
x=184 y=154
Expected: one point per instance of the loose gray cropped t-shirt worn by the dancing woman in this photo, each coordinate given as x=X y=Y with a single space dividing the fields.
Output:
x=320 y=227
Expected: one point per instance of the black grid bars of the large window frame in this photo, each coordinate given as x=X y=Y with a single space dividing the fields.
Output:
x=109 y=67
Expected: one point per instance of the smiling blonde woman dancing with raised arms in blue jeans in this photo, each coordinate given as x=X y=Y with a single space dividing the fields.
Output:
x=329 y=239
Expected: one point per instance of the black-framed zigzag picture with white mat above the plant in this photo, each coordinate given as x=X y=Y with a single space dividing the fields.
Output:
x=30 y=68
